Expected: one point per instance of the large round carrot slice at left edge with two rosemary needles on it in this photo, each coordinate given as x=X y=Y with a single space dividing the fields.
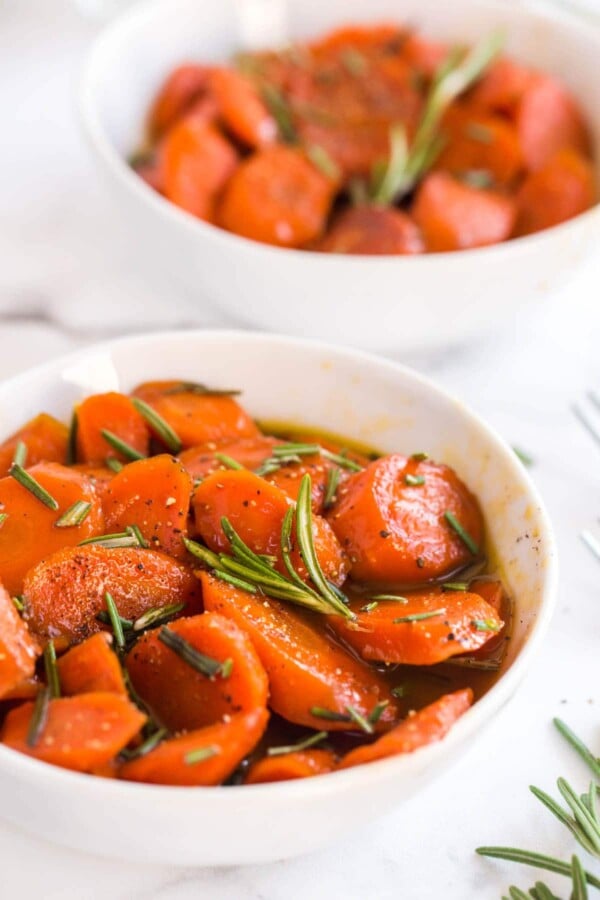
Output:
x=30 y=531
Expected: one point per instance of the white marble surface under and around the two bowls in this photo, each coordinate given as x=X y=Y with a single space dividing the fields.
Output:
x=68 y=274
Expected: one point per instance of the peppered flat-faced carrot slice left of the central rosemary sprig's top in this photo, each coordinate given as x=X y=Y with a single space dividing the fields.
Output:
x=153 y=494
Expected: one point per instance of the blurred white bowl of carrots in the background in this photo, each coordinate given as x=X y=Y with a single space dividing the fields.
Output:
x=383 y=303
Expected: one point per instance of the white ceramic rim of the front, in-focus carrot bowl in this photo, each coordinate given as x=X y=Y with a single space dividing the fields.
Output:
x=95 y=787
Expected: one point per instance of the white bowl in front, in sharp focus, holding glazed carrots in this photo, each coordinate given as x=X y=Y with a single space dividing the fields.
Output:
x=319 y=386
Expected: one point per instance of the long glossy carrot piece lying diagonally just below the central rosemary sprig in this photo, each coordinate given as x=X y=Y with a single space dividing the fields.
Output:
x=306 y=668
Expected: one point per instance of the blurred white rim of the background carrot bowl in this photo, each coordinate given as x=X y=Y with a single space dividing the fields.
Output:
x=95 y=132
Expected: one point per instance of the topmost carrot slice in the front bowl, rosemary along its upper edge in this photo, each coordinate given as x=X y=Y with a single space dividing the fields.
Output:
x=199 y=417
